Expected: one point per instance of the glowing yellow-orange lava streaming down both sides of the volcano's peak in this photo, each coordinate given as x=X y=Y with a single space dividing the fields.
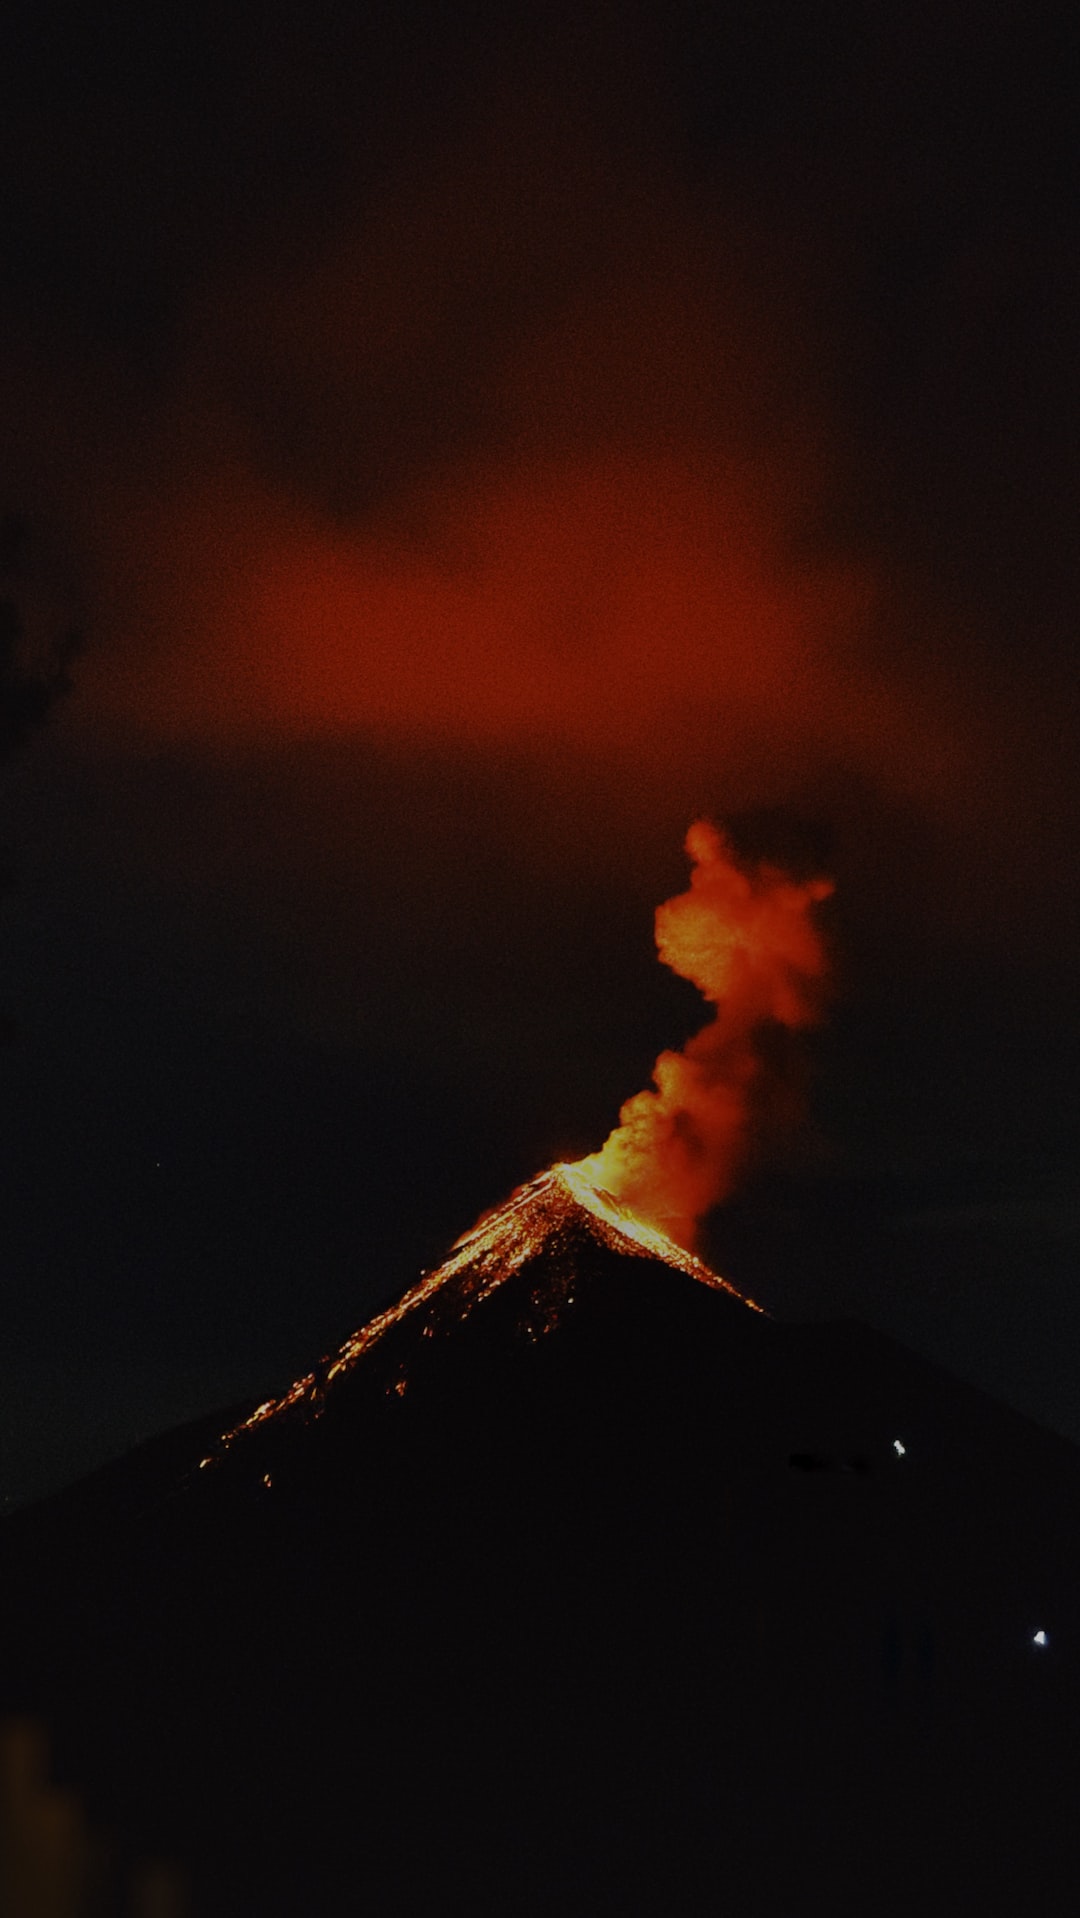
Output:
x=544 y=1219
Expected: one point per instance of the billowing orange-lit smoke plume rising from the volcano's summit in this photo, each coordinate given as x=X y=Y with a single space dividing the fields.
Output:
x=749 y=943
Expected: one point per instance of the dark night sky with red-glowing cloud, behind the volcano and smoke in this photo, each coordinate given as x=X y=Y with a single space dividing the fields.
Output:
x=473 y=444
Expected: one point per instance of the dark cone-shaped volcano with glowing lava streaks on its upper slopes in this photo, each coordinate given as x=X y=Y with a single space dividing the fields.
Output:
x=575 y=1583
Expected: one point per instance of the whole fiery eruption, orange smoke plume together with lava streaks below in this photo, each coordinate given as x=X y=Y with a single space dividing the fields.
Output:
x=747 y=941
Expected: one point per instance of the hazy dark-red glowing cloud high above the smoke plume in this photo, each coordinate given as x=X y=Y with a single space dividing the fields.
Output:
x=517 y=456
